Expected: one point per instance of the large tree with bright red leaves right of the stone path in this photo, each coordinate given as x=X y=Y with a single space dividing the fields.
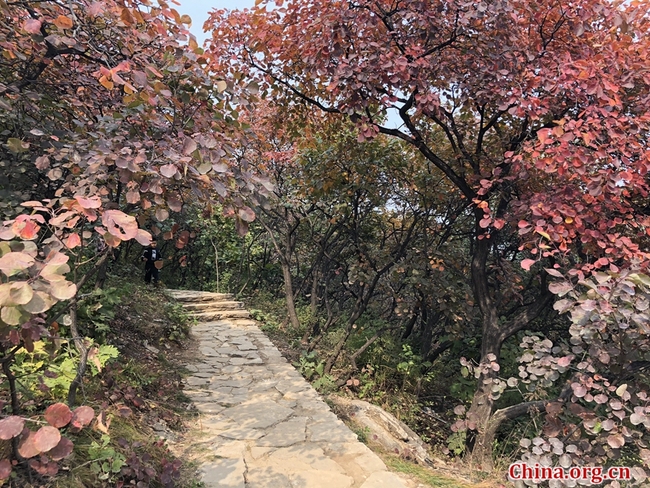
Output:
x=544 y=108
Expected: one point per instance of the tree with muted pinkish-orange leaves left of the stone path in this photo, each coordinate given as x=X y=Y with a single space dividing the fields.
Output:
x=109 y=119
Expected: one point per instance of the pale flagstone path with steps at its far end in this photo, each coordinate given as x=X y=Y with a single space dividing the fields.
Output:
x=263 y=425
